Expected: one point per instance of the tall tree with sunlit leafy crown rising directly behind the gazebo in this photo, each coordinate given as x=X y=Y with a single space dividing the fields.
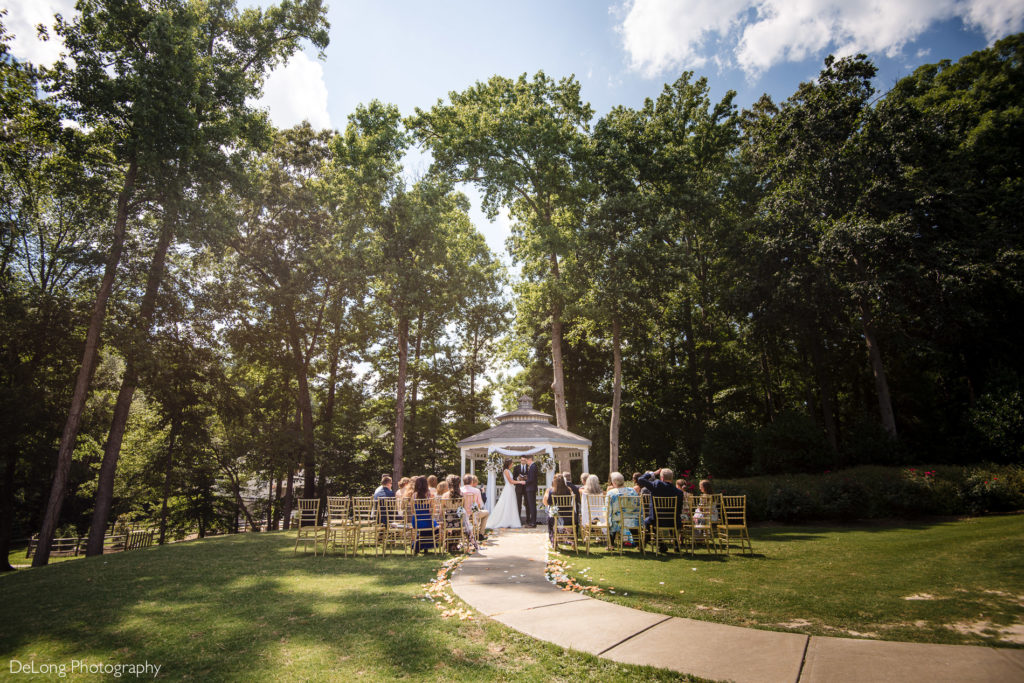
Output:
x=523 y=143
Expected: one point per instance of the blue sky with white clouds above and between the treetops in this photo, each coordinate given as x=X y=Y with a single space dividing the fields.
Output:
x=414 y=53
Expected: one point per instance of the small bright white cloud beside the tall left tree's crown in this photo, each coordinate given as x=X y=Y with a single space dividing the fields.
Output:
x=295 y=93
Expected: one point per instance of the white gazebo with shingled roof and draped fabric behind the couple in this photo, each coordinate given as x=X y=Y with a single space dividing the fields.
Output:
x=524 y=432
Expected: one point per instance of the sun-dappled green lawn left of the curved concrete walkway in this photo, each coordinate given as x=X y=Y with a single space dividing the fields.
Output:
x=245 y=608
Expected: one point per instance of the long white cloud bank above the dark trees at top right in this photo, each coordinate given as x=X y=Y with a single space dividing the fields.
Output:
x=663 y=35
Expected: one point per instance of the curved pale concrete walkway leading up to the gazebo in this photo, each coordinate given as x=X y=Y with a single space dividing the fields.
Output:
x=506 y=582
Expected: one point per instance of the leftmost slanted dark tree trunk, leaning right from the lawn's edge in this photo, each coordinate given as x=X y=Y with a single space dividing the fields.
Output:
x=70 y=435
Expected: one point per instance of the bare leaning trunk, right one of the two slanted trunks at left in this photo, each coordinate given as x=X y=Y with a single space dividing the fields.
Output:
x=108 y=469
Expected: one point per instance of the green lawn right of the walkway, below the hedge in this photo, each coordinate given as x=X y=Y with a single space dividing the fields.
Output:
x=948 y=582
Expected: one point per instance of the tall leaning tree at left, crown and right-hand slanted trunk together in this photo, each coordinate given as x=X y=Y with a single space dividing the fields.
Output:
x=210 y=59
